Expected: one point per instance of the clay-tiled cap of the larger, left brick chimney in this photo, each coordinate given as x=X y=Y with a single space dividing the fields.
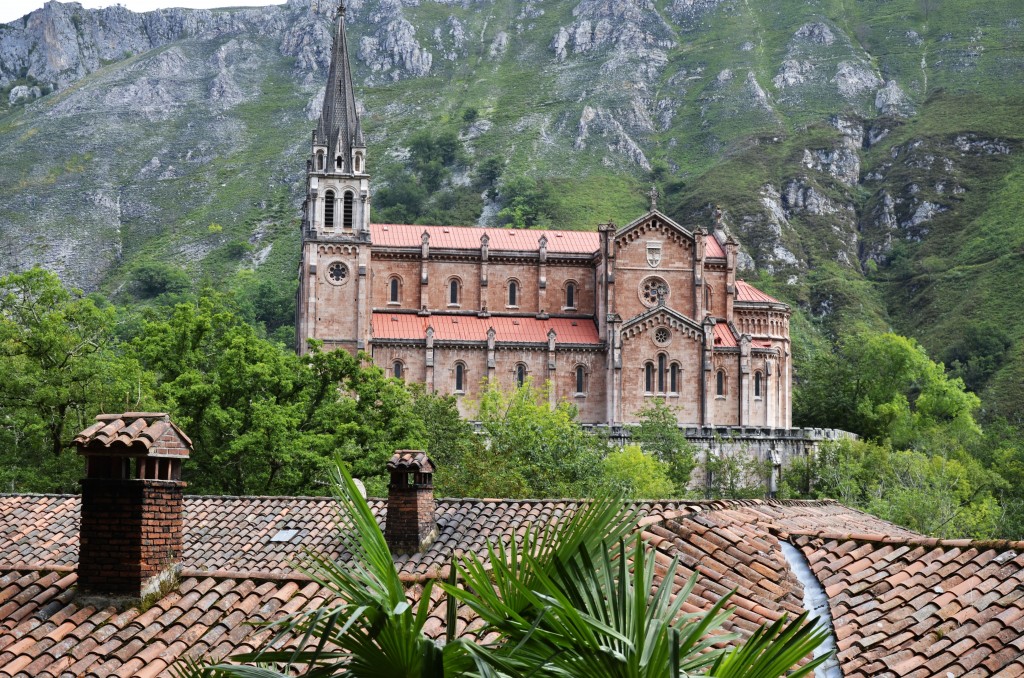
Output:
x=133 y=434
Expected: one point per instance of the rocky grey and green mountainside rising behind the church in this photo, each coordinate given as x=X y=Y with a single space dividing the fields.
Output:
x=867 y=153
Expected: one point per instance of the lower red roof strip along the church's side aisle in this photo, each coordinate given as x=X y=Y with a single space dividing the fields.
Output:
x=472 y=328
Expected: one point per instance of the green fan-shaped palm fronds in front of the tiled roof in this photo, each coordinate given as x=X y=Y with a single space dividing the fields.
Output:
x=564 y=603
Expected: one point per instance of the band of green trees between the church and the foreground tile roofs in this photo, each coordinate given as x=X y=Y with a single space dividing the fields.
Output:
x=266 y=421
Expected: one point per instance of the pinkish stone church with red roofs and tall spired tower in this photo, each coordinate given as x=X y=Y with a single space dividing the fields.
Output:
x=612 y=319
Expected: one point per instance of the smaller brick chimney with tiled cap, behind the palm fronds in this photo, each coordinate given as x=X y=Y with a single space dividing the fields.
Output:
x=411 y=527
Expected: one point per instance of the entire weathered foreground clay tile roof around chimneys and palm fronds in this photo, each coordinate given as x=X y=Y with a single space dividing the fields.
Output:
x=902 y=603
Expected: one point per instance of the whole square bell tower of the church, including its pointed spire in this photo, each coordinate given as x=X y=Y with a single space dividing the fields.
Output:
x=333 y=286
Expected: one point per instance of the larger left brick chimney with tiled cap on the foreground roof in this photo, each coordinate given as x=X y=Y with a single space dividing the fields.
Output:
x=131 y=541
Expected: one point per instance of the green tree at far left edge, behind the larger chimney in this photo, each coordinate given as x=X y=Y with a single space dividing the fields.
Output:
x=60 y=366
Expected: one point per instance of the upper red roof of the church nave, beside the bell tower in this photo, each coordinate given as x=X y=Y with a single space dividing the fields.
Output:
x=500 y=240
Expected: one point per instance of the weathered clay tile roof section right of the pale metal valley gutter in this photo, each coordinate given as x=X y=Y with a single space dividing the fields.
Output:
x=922 y=605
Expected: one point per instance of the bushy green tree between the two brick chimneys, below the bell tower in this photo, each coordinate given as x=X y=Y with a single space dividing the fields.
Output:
x=264 y=420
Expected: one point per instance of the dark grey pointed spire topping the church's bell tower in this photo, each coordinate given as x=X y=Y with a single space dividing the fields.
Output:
x=339 y=123
